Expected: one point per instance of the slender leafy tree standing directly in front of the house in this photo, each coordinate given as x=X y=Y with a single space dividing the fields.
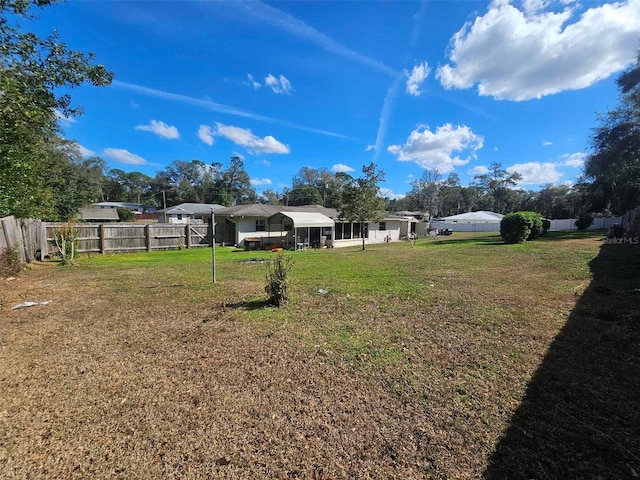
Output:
x=361 y=198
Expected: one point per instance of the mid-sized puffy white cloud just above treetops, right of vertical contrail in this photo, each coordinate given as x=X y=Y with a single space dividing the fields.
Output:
x=436 y=149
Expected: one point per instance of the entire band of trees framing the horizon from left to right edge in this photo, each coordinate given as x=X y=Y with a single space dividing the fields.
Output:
x=43 y=175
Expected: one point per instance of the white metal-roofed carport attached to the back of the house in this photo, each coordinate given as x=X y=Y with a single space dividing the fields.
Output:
x=307 y=228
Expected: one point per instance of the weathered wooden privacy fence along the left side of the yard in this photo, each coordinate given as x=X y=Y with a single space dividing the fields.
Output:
x=36 y=239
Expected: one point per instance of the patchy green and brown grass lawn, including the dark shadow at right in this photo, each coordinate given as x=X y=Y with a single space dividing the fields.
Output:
x=413 y=362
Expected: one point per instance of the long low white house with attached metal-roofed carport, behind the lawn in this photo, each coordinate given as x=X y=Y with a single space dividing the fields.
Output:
x=301 y=227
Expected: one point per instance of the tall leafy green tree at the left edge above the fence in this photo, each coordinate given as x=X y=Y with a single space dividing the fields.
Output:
x=32 y=70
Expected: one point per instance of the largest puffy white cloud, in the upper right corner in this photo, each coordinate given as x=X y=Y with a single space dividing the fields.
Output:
x=519 y=55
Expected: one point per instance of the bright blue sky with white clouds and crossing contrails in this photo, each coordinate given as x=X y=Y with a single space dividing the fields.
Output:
x=408 y=85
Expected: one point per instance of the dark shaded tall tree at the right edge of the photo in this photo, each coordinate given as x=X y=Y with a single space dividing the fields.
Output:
x=613 y=170
